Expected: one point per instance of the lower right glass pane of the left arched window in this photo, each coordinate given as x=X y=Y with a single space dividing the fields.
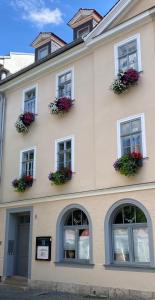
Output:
x=83 y=244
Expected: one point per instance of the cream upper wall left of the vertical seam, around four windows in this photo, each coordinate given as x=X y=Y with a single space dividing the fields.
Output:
x=46 y=129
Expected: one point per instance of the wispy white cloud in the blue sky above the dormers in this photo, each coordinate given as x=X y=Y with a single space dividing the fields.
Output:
x=37 y=12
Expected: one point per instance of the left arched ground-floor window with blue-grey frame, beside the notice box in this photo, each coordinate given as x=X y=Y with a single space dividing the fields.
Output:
x=73 y=236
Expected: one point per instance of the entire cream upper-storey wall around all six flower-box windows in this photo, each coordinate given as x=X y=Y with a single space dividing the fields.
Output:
x=92 y=121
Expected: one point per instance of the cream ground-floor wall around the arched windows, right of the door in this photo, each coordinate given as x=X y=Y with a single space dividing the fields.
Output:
x=46 y=216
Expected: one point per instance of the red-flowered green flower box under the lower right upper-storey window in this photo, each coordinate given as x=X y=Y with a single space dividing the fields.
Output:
x=129 y=164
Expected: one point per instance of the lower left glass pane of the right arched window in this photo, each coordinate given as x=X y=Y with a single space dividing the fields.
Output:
x=121 y=245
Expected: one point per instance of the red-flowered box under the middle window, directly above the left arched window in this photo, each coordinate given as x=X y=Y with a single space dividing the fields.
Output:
x=61 y=176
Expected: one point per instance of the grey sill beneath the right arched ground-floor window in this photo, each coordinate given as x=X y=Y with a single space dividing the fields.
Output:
x=127 y=267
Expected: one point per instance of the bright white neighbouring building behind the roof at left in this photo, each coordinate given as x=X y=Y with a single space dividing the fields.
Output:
x=14 y=62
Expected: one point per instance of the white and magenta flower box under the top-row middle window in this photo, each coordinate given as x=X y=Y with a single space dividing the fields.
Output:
x=61 y=105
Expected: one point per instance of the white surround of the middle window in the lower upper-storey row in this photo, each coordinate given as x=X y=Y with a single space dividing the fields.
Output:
x=72 y=138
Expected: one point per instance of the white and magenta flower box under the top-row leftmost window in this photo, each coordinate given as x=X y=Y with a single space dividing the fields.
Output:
x=24 y=121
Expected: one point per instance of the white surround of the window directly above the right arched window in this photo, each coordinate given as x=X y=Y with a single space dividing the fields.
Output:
x=119 y=148
